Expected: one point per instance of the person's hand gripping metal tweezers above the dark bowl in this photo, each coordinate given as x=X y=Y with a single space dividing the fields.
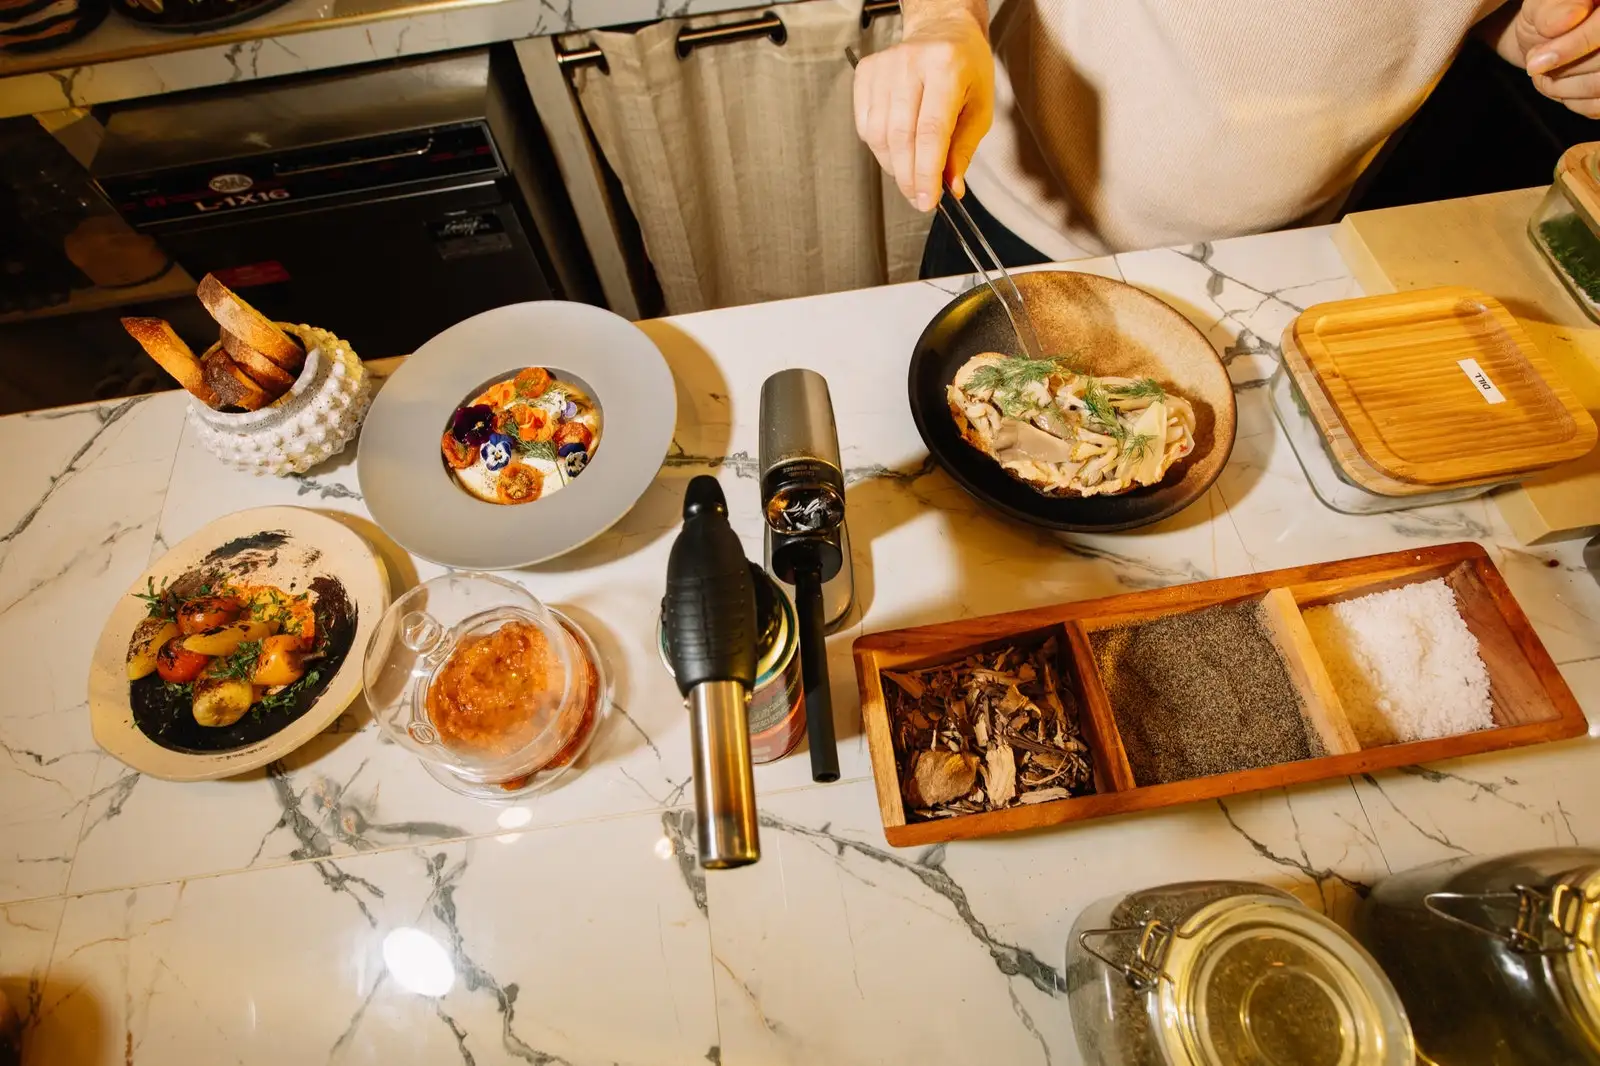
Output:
x=924 y=105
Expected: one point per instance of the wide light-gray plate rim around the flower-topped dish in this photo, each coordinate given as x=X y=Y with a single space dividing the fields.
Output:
x=412 y=494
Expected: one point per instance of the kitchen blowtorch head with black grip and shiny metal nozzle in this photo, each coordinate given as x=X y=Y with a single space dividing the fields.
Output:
x=711 y=631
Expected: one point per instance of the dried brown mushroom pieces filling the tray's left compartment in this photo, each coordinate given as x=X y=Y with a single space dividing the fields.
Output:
x=991 y=732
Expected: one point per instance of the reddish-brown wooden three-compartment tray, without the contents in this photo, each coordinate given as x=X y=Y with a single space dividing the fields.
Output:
x=1532 y=702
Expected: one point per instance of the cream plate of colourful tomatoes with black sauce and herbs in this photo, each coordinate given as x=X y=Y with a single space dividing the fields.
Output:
x=238 y=647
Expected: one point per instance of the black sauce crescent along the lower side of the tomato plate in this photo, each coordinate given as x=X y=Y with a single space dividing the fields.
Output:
x=167 y=716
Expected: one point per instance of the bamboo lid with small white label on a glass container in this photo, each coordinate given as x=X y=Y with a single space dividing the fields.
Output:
x=1433 y=390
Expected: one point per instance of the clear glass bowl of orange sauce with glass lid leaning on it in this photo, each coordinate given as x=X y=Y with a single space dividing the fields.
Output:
x=495 y=692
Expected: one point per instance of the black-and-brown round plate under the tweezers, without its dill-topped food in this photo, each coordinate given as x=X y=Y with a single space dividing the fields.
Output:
x=1111 y=329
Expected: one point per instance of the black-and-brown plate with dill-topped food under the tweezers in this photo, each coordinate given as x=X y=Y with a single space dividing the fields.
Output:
x=1127 y=420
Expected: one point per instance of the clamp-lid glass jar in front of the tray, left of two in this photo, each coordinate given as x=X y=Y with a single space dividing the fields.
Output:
x=1225 y=974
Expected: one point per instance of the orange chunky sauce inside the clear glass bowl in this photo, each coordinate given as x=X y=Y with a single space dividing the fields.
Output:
x=487 y=695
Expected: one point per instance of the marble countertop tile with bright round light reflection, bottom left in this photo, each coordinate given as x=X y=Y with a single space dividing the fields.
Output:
x=566 y=947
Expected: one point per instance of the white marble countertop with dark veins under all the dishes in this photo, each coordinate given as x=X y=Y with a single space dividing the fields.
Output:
x=246 y=921
